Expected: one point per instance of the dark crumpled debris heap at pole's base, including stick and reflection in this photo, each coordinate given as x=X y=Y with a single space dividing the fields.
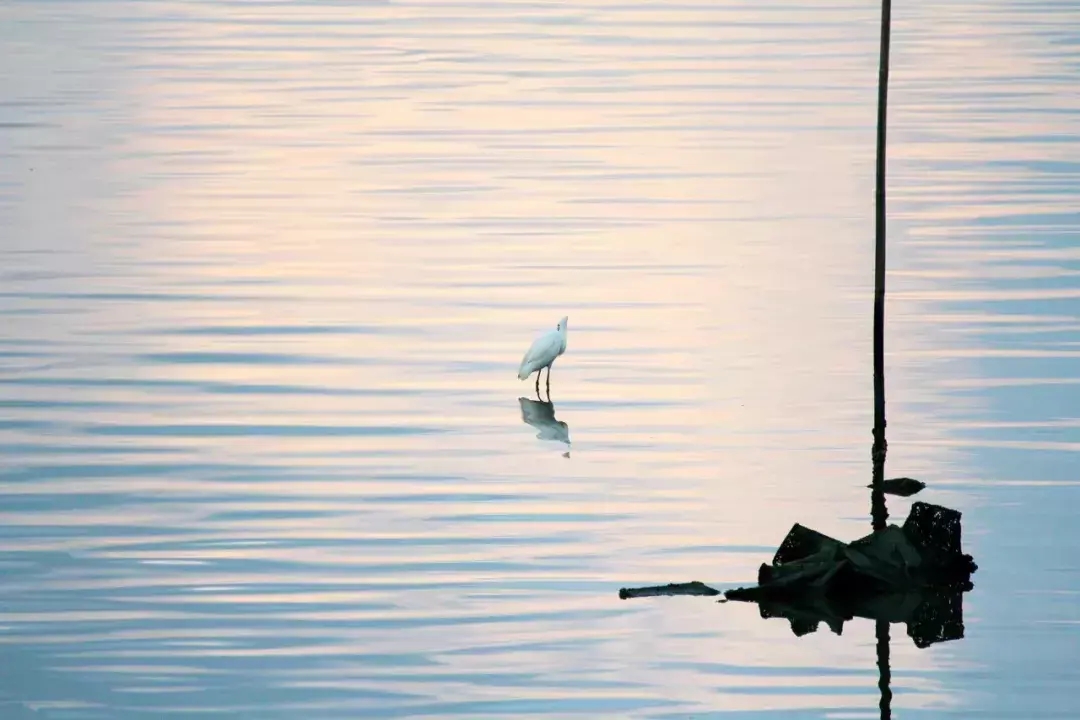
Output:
x=915 y=575
